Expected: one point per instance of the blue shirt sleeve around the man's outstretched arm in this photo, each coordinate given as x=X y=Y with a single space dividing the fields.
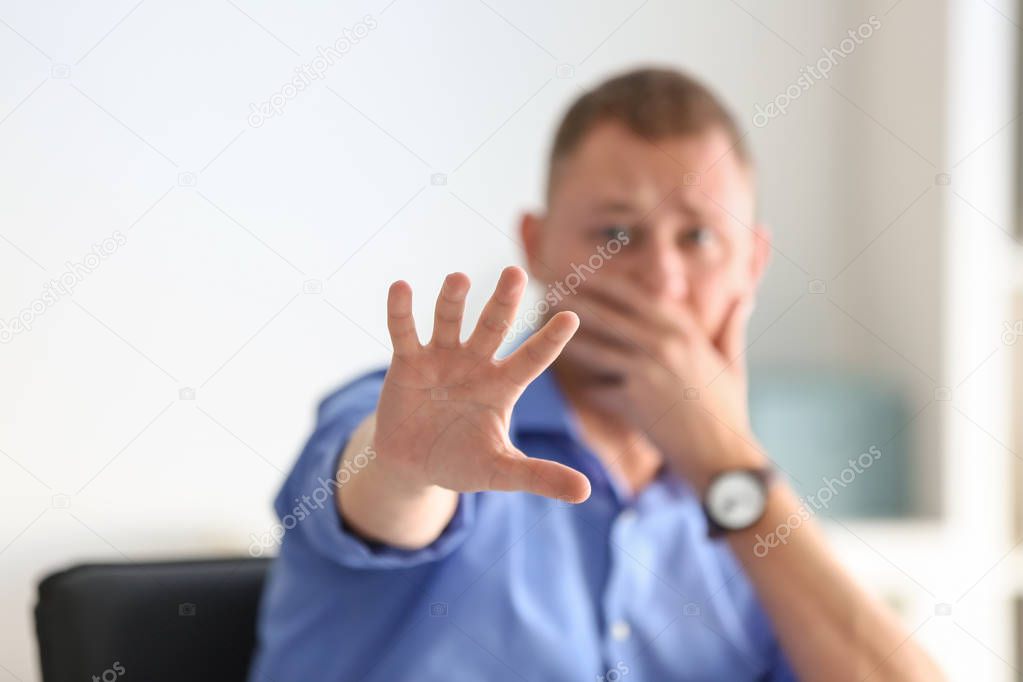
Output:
x=306 y=505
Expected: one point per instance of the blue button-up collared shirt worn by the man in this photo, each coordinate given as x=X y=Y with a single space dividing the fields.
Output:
x=518 y=587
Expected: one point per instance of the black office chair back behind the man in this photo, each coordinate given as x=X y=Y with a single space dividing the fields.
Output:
x=159 y=622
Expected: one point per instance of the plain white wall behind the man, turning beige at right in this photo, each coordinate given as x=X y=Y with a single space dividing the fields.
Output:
x=105 y=112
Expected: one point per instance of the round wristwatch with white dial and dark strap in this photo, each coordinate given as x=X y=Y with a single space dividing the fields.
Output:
x=736 y=501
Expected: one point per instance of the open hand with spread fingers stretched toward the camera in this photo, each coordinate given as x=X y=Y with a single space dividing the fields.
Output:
x=446 y=407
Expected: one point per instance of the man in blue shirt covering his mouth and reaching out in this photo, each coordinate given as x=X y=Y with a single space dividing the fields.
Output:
x=594 y=506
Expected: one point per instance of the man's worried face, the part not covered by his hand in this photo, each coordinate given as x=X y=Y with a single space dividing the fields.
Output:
x=685 y=205
